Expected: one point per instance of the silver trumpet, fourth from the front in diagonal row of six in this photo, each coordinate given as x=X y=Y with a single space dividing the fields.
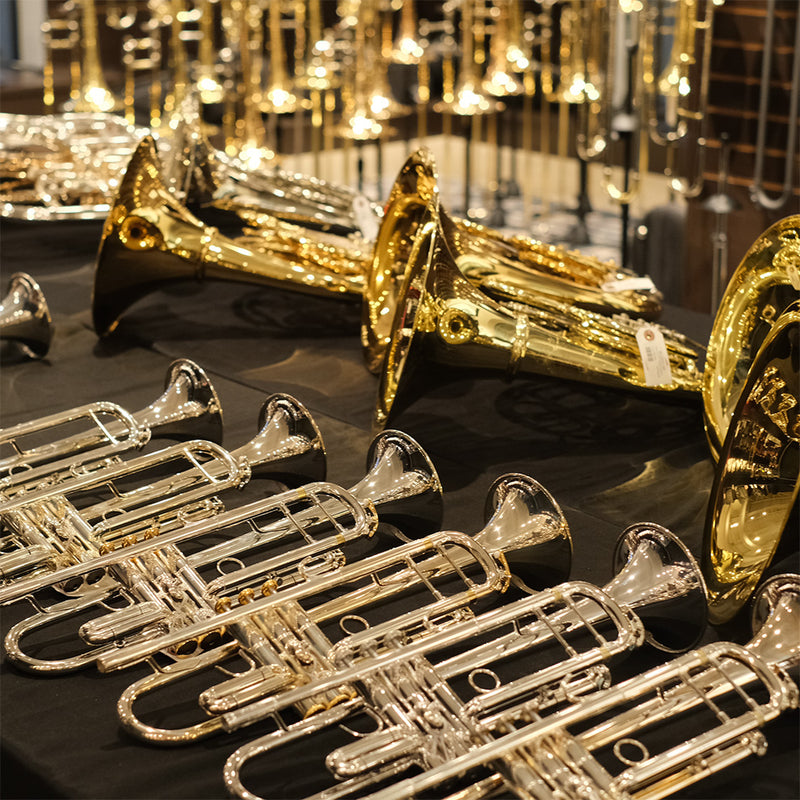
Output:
x=158 y=586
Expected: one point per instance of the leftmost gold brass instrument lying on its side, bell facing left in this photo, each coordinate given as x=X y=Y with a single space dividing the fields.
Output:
x=150 y=238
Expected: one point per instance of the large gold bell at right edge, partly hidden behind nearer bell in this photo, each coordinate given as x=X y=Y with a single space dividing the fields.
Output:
x=720 y=341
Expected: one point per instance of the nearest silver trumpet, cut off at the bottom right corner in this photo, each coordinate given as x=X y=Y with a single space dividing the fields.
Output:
x=702 y=710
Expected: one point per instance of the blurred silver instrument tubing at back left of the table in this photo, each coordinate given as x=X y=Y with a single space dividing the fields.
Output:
x=62 y=166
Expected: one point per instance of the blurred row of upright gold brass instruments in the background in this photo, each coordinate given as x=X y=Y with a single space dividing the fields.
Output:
x=636 y=70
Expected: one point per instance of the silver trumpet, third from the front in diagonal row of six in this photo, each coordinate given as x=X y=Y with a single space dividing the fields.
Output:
x=286 y=636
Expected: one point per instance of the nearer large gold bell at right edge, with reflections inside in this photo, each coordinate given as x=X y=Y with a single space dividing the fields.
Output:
x=757 y=480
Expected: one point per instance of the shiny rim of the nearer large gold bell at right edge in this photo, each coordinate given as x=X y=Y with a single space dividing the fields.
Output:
x=726 y=597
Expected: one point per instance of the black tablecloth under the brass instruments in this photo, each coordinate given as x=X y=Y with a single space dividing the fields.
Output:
x=610 y=458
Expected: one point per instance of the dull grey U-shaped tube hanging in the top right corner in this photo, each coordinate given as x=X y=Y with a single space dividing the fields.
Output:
x=757 y=191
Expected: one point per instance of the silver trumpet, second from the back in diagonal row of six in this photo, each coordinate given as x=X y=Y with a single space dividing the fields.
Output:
x=54 y=526
